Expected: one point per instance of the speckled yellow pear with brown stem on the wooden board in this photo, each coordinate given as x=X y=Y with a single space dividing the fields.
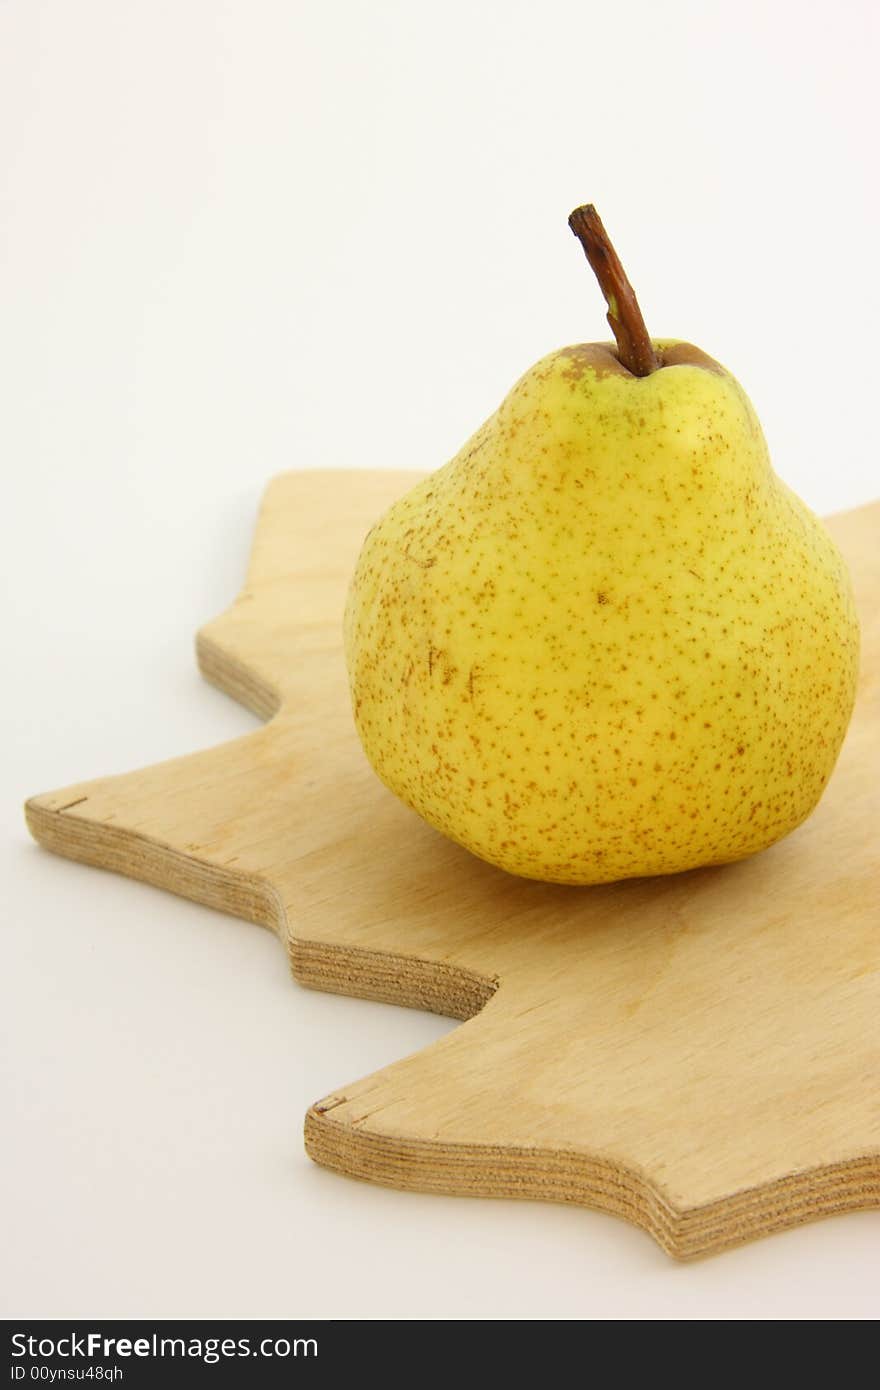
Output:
x=605 y=640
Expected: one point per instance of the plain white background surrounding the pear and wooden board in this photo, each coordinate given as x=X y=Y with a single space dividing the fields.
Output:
x=248 y=237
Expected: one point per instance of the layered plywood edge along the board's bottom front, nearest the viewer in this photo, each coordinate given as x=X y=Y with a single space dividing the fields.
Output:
x=548 y=1175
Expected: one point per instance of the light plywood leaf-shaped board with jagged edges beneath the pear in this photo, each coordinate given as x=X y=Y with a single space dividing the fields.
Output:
x=699 y=1054
